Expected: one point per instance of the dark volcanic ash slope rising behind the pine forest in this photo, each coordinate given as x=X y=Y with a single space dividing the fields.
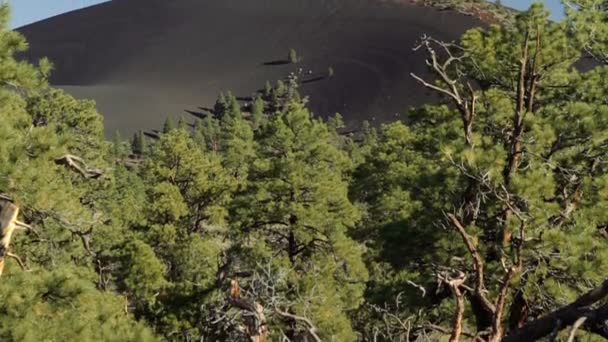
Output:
x=142 y=60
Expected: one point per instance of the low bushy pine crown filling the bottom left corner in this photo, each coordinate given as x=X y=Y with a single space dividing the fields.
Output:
x=64 y=305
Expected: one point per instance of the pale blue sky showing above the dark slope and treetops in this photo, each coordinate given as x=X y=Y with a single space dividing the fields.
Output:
x=29 y=11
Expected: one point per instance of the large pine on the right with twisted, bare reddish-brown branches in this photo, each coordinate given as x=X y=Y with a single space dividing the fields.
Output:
x=510 y=172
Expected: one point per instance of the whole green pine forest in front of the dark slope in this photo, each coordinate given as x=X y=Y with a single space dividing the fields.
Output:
x=483 y=218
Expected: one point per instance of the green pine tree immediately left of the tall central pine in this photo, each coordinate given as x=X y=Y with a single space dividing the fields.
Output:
x=187 y=192
